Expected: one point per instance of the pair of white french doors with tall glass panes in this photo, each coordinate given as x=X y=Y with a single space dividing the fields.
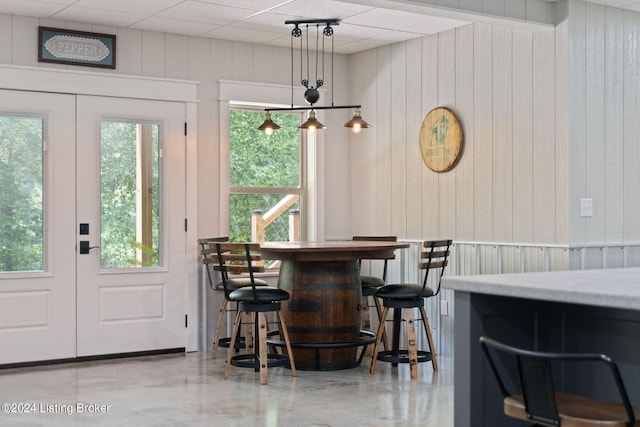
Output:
x=92 y=257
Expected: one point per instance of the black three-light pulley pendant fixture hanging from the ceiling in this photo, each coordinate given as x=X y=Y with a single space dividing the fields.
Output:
x=312 y=93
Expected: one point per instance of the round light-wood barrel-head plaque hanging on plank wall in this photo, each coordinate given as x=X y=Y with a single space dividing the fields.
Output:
x=440 y=139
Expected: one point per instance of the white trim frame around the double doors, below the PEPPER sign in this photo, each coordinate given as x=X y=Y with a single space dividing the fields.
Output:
x=75 y=82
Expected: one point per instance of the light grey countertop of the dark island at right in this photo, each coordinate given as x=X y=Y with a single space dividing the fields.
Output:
x=615 y=288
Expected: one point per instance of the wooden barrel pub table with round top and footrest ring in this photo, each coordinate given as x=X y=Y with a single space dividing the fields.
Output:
x=323 y=314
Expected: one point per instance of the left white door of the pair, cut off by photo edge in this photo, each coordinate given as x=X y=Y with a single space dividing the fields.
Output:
x=37 y=227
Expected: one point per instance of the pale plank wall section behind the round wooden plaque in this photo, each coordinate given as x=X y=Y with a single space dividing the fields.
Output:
x=509 y=184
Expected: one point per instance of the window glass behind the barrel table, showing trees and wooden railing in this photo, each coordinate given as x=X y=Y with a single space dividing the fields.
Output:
x=266 y=176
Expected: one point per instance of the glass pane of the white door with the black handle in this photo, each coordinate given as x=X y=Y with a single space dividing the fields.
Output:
x=130 y=194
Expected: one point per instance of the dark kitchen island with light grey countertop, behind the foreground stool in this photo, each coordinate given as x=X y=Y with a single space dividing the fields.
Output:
x=566 y=311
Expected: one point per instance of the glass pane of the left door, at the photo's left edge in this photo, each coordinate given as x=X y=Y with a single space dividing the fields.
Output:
x=21 y=204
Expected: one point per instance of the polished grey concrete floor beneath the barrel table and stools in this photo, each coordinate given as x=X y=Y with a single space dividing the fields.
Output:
x=189 y=390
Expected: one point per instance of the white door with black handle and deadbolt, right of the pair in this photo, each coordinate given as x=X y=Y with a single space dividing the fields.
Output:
x=131 y=284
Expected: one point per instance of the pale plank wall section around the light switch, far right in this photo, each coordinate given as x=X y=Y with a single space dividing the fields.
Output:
x=604 y=89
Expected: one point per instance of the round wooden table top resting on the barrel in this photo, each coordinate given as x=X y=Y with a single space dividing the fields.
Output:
x=335 y=250
